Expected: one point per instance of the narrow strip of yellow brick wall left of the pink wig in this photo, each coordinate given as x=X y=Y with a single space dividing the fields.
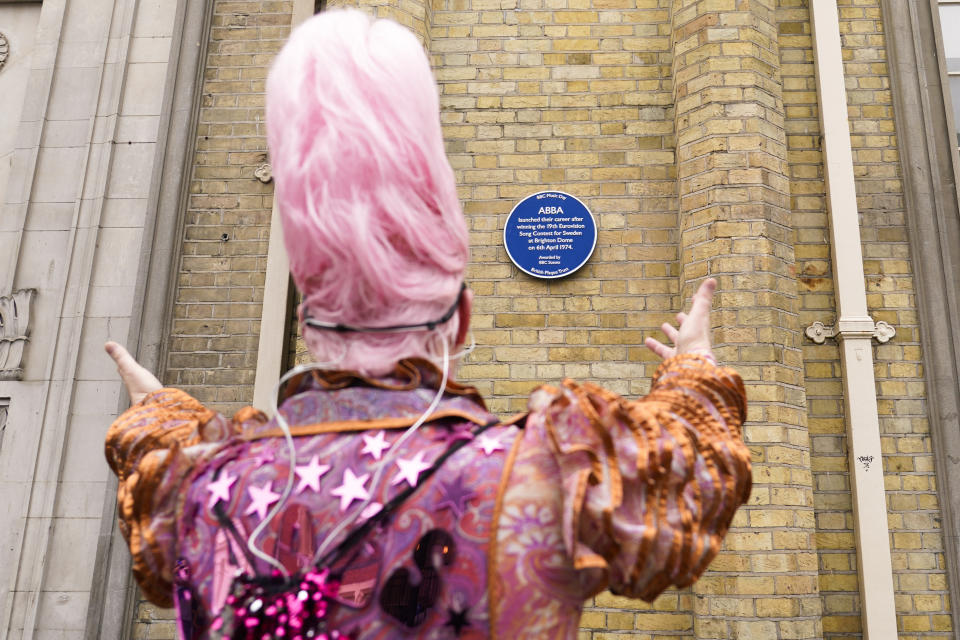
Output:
x=212 y=346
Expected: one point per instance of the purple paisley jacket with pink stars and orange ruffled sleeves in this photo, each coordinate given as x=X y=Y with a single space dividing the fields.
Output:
x=585 y=492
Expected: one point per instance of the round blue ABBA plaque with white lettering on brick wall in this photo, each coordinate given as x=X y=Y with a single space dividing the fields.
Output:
x=550 y=234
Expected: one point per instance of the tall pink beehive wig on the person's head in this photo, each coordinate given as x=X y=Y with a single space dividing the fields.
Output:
x=371 y=218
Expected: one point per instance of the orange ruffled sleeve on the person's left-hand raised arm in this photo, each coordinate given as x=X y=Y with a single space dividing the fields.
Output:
x=145 y=447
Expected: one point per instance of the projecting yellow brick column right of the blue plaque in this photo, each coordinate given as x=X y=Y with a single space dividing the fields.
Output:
x=735 y=225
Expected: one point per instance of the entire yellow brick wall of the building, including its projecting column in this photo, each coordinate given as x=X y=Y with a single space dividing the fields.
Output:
x=690 y=129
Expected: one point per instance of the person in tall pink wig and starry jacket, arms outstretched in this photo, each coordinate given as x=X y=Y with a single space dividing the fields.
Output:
x=383 y=500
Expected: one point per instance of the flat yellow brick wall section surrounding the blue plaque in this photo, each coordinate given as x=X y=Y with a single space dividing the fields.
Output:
x=578 y=100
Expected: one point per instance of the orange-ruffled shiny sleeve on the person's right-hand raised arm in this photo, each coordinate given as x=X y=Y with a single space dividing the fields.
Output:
x=650 y=486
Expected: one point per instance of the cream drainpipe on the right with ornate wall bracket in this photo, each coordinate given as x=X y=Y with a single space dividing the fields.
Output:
x=855 y=329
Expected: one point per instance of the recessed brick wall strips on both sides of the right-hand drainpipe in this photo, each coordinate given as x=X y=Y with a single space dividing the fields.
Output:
x=916 y=538
